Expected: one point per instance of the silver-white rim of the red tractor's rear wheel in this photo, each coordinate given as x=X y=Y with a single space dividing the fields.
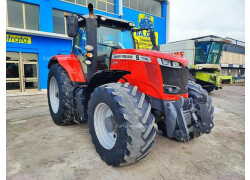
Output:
x=54 y=94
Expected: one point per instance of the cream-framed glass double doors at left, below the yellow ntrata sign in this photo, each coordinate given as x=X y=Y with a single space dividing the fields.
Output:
x=21 y=71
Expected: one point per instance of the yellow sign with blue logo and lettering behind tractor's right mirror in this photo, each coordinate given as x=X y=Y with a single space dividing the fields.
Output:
x=142 y=38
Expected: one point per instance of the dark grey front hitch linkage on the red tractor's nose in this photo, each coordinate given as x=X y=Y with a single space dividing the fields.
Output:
x=183 y=118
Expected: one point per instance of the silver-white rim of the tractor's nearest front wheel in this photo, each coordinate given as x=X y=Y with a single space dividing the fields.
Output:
x=103 y=120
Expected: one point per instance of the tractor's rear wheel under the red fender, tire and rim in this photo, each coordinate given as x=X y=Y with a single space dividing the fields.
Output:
x=60 y=95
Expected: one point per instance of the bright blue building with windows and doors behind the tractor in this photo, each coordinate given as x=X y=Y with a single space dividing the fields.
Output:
x=36 y=30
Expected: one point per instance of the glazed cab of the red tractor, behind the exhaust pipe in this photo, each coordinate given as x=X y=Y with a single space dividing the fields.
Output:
x=111 y=34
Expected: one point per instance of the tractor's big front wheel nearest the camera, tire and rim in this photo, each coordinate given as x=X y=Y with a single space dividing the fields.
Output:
x=121 y=123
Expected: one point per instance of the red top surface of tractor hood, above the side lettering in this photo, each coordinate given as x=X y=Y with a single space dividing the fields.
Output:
x=155 y=54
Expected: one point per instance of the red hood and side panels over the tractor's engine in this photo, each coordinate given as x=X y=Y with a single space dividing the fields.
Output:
x=146 y=75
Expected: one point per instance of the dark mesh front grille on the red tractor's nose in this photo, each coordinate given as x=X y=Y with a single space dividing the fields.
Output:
x=175 y=77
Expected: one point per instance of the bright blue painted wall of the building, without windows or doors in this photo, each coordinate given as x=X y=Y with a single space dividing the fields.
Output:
x=46 y=47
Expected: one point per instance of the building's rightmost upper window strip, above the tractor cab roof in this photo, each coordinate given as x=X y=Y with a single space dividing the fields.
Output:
x=153 y=7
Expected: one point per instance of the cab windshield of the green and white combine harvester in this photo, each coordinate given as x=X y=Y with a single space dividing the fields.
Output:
x=208 y=52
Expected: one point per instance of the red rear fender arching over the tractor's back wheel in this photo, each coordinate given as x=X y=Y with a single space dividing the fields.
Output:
x=71 y=64
